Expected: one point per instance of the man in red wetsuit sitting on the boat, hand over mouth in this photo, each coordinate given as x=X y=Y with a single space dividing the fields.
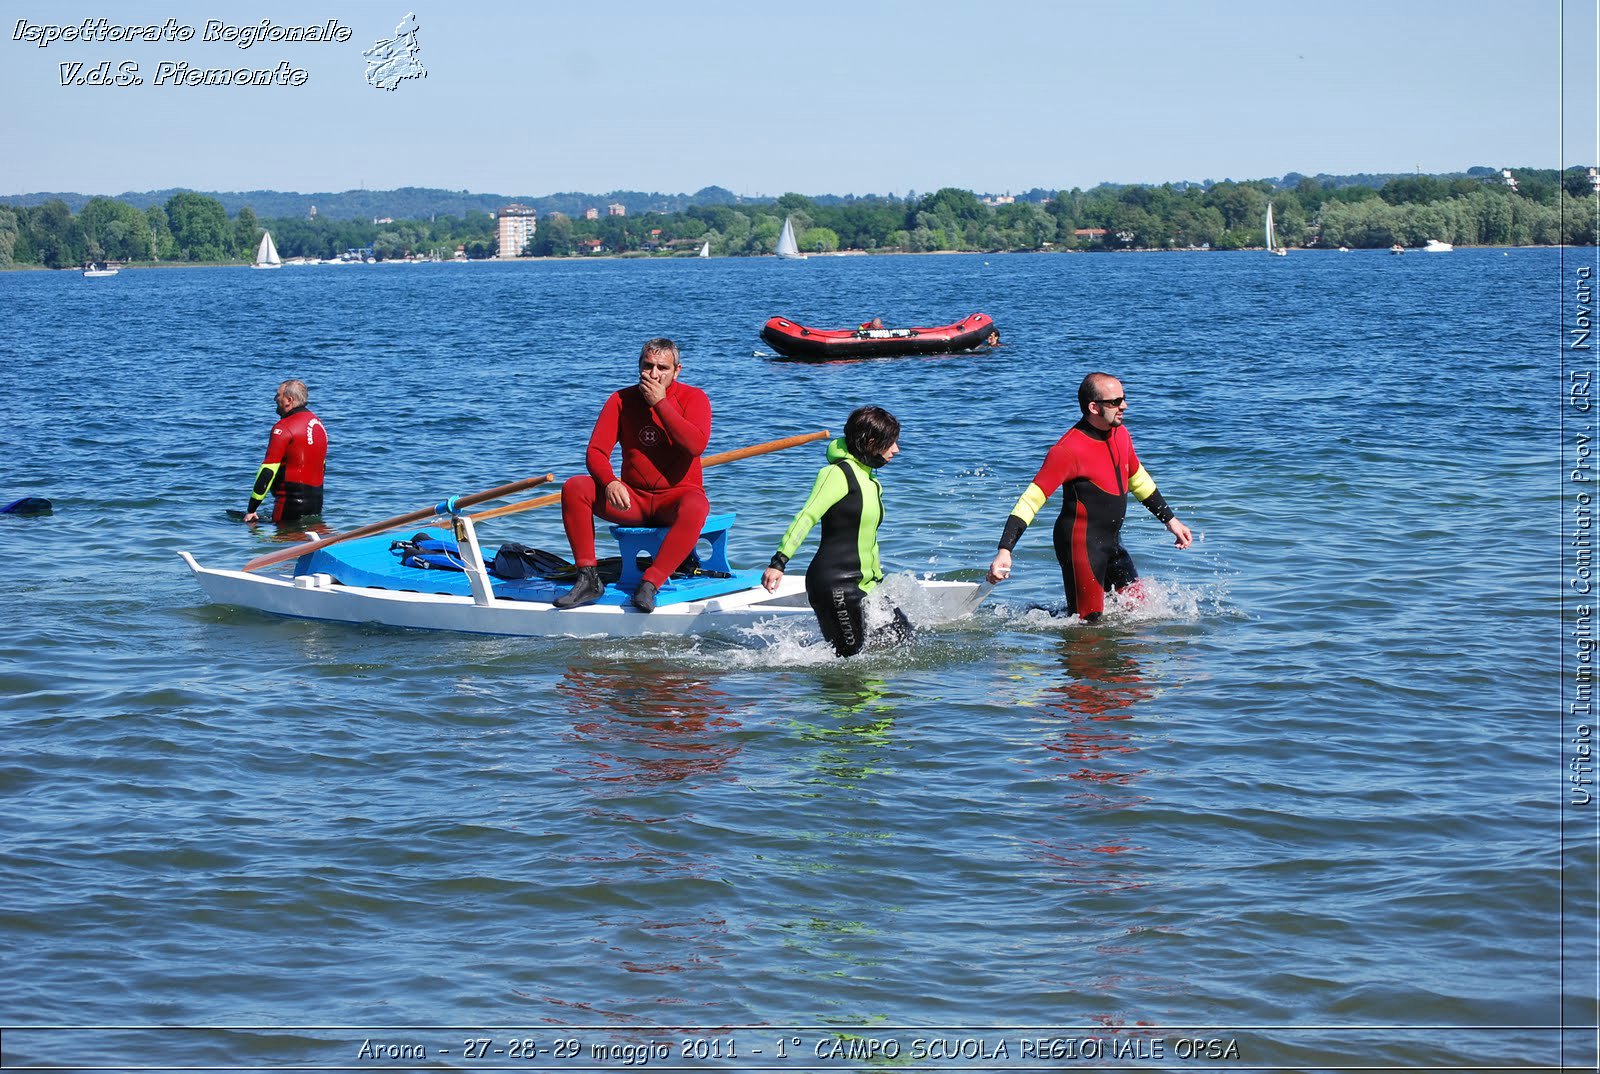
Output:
x=663 y=428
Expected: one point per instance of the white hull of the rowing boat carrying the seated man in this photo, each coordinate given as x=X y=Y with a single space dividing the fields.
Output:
x=318 y=596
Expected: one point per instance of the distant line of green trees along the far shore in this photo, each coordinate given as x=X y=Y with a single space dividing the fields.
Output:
x=1543 y=209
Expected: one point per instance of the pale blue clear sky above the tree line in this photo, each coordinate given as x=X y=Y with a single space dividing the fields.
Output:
x=830 y=97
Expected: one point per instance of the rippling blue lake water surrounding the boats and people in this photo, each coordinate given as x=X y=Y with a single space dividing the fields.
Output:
x=1306 y=801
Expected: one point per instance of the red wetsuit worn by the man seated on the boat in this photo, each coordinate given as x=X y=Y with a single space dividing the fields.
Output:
x=662 y=449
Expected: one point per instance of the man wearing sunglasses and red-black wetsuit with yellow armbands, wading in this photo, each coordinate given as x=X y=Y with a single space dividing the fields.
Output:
x=1097 y=465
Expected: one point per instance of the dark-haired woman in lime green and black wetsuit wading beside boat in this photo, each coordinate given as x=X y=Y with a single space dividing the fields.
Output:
x=849 y=502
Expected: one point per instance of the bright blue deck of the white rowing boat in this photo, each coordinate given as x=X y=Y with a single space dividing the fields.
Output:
x=369 y=563
